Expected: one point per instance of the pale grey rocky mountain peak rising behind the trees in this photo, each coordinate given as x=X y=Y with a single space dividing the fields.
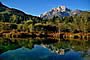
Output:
x=61 y=11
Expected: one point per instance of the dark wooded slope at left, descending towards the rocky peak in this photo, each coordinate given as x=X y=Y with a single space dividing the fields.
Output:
x=15 y=16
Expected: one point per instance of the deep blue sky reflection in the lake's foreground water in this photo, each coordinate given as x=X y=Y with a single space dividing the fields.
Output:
x=38 y=53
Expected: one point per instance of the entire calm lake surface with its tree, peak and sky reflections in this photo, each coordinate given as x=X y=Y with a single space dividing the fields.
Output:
x=44 y=49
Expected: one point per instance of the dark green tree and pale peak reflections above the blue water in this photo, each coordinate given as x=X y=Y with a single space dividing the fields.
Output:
x=60 y=47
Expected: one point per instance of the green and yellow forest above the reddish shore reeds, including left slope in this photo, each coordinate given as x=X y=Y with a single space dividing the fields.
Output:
x=15 y=20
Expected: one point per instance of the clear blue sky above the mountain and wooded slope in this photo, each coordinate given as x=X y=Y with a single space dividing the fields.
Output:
x=37 y=7
